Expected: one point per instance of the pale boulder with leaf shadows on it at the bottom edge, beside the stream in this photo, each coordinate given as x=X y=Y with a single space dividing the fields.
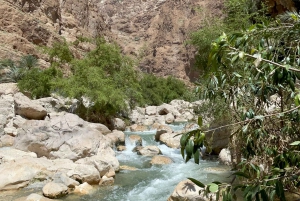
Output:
x=187 y=191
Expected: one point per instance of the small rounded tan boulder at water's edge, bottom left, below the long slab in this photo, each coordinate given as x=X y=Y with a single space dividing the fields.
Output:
x=55 y=190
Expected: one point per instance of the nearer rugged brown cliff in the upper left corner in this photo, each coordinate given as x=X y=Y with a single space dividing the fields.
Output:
x=26 y=24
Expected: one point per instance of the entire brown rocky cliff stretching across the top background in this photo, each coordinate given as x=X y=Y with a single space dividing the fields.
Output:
x=154 y=32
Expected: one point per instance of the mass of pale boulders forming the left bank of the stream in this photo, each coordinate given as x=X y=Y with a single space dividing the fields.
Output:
x=40 y=142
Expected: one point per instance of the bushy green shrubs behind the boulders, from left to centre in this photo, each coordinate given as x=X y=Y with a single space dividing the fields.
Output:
x=104 y=81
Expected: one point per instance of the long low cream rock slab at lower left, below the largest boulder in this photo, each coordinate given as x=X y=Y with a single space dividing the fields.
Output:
x=17 y=171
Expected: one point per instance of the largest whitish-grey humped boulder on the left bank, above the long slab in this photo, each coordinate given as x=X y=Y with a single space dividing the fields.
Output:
x=63 y=136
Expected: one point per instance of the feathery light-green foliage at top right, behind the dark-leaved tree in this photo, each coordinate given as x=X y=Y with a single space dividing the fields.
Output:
x=238 y=14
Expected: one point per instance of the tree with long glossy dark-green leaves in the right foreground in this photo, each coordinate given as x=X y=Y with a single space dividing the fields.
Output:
x=256 y=72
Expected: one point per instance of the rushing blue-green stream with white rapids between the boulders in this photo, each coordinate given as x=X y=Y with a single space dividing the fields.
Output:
x=148 y=182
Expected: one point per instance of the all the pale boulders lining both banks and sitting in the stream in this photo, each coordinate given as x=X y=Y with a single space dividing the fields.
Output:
x=41 y=142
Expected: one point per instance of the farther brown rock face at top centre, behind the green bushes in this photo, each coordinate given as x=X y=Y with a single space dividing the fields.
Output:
x=155 y=31
